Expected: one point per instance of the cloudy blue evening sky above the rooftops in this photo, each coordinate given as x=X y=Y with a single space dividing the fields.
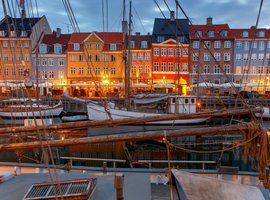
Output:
x=88 y=13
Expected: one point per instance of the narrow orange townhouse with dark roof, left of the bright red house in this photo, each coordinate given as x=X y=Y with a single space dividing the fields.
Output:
x=141 y=59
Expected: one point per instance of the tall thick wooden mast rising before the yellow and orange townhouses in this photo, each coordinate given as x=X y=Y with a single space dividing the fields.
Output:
x=126 y=28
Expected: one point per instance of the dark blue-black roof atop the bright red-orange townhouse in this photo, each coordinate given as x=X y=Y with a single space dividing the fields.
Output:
x=169 y=28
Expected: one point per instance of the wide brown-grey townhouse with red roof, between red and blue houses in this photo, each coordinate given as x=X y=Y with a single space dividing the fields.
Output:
x=211 y=54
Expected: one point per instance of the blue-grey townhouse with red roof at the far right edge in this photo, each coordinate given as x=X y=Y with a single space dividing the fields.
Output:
x=252 y=54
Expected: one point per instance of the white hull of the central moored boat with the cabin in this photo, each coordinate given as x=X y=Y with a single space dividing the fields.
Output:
x=97 y=112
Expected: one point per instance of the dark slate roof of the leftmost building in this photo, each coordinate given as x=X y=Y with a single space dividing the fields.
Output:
x=18 y=24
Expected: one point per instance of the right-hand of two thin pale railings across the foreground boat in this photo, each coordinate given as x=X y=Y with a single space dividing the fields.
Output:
x=203 y=162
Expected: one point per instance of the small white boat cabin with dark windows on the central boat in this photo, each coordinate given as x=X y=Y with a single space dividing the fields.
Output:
x=182 y=104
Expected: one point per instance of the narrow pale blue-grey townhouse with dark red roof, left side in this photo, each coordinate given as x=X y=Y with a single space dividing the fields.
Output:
x=52 y=58
